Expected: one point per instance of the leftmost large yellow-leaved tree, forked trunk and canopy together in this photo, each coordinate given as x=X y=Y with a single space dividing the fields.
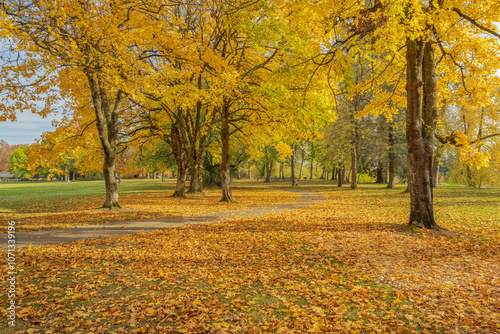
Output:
x=89 y=43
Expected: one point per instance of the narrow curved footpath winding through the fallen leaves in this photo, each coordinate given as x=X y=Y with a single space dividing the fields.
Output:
x=113 y=229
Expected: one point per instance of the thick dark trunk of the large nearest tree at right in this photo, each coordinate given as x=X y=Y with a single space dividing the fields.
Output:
x=420 y=126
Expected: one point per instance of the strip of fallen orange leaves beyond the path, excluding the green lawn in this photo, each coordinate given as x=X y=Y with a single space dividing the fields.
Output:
x=73 y=211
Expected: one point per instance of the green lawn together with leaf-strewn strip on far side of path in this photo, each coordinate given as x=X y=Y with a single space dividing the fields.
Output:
x=48 y=205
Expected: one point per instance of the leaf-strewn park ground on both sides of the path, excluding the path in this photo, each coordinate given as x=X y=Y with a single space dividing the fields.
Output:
x=346 y=264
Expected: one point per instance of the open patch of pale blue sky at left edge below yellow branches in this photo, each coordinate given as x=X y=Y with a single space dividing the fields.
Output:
x=26 y=129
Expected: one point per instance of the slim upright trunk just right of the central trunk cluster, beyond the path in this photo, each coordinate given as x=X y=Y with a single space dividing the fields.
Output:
x=225 y=165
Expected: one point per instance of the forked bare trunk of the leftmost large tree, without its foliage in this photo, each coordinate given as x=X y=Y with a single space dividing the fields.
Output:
x=107 y=129
